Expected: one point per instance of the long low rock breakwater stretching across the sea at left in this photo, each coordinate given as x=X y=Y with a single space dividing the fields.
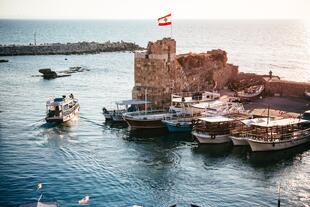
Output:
x=67 y=48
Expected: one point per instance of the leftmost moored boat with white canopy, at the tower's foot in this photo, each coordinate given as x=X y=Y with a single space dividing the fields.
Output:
x=121 y=108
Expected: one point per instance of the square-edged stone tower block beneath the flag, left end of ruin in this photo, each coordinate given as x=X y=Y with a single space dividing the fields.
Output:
x=155 y=69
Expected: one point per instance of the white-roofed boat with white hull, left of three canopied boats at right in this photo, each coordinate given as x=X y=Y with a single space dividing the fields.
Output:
x=213 y=130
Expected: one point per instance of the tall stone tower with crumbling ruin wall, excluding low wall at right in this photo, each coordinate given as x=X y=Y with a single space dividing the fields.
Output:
x=162 y=72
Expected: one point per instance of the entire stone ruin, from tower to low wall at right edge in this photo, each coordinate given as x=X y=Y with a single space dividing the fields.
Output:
x=162 y=72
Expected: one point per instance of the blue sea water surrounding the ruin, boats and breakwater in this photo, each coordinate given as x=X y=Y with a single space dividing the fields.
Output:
x=117 y=167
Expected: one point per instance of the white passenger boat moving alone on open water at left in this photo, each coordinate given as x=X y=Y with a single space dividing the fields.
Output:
x=61 y=109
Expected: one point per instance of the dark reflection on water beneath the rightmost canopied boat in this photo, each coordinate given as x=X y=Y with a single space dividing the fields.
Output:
x=271 y=157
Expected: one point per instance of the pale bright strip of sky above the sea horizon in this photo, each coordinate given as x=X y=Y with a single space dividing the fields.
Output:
x=145 y=9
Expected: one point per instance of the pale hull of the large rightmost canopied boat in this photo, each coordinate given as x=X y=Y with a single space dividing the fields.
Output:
x=258 y=146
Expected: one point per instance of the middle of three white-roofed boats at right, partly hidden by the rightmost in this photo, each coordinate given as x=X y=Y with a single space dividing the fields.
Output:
x=240 y=134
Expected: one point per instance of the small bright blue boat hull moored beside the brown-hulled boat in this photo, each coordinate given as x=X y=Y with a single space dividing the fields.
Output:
x=178 y=125
